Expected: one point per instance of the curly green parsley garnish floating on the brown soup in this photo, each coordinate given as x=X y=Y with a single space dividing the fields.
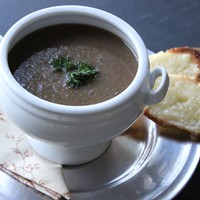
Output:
x=79 y=73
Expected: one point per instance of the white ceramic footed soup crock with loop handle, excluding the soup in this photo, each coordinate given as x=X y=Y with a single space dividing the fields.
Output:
x=76 y=134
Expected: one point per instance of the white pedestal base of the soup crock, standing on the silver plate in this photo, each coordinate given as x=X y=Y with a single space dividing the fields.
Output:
x=67 y=155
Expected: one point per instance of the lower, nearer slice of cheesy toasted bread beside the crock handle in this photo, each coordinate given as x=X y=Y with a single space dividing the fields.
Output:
x=180 y=108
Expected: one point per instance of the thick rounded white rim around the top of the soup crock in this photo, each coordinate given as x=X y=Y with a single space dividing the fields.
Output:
x=117 y=101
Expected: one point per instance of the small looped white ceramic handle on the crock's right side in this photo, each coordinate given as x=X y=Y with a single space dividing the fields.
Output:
x=156 y=95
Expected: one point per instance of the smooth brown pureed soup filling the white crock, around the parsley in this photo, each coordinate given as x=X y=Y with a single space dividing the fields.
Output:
x=30 y=59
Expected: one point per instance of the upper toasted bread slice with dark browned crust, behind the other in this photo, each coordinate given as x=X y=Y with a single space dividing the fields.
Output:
x=184 y=61
